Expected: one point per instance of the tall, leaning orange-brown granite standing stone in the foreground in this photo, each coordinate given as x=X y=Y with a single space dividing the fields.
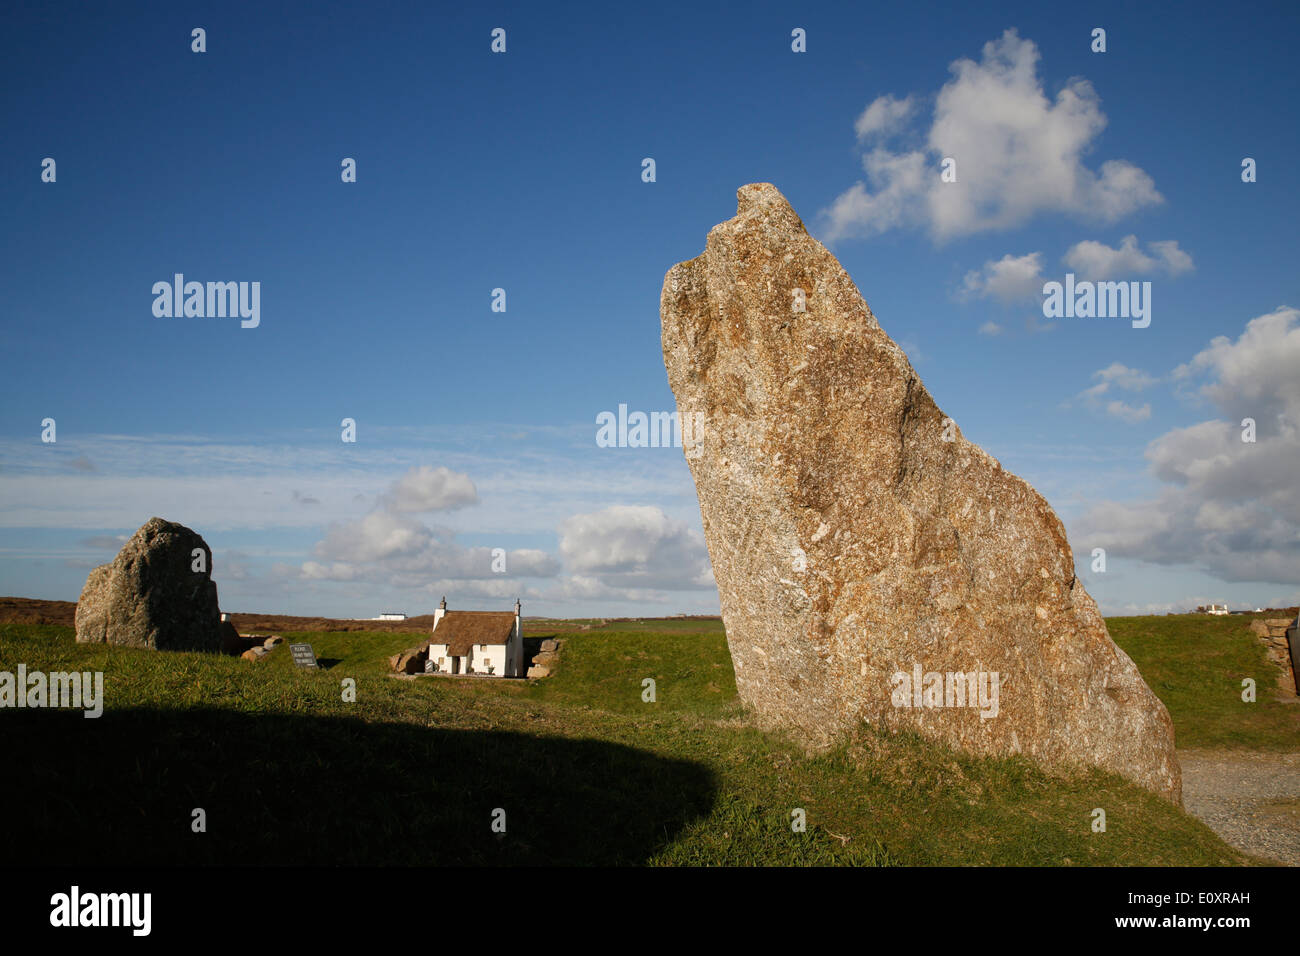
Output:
x=856 y=535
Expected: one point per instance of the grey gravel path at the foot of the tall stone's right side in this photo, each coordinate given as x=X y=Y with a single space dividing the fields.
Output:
x=1253 y=801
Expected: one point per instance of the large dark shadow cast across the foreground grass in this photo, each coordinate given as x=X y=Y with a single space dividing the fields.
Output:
x=327 y=790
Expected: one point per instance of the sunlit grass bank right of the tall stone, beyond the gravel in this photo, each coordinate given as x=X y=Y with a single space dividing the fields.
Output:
x=1195 y=664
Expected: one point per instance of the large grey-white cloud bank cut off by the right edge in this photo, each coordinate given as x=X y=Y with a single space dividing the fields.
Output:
x=1228 y=507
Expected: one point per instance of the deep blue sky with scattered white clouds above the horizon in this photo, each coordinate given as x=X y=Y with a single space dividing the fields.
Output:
x=523 y=171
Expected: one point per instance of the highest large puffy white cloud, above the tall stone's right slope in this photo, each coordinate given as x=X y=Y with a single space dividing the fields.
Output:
x=1019 y=154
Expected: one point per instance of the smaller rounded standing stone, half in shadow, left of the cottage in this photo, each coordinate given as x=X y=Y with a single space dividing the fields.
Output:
x=150 y=596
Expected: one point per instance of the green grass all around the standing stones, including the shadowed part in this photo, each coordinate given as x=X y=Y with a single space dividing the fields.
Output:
x=291 y=773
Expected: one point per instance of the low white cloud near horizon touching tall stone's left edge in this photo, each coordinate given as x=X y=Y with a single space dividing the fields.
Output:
x=635 y=547
